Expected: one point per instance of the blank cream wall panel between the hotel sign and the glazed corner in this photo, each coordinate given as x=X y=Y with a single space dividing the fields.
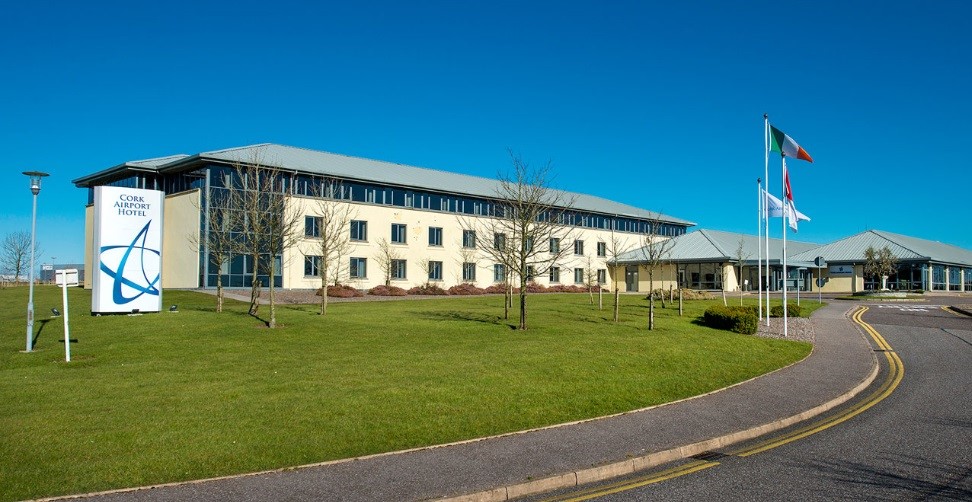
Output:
x=180 y=237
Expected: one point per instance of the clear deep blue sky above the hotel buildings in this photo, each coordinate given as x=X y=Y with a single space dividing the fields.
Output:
x=654 y=104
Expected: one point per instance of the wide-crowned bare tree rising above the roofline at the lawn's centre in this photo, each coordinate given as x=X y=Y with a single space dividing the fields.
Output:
x=532 y=220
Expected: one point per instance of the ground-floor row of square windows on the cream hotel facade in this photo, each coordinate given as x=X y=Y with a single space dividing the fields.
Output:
x=358 y=269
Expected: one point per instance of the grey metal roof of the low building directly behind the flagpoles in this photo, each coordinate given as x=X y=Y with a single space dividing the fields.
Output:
x=705 y=245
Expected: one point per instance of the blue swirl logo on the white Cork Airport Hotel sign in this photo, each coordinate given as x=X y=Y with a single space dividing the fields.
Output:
x=136 y=267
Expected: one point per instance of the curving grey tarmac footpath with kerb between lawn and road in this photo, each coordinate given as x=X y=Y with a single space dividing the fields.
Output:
x=504 y=467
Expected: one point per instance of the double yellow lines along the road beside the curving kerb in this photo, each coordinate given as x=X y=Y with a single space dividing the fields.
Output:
x=891 y=382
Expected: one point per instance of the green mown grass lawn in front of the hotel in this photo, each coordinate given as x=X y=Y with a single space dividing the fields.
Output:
x=176 y=396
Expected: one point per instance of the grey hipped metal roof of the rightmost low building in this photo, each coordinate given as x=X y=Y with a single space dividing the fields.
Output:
x=851 y=249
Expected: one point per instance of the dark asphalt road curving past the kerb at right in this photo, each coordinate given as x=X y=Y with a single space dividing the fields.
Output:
x=914 y=444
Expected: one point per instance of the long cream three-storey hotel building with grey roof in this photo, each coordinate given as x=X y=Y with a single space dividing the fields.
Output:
x=419 y=212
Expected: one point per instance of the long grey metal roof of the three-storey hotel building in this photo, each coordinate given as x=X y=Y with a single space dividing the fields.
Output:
x=344 y=166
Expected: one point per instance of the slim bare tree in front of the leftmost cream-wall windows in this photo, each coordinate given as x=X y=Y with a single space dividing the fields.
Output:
x=331 y=237
